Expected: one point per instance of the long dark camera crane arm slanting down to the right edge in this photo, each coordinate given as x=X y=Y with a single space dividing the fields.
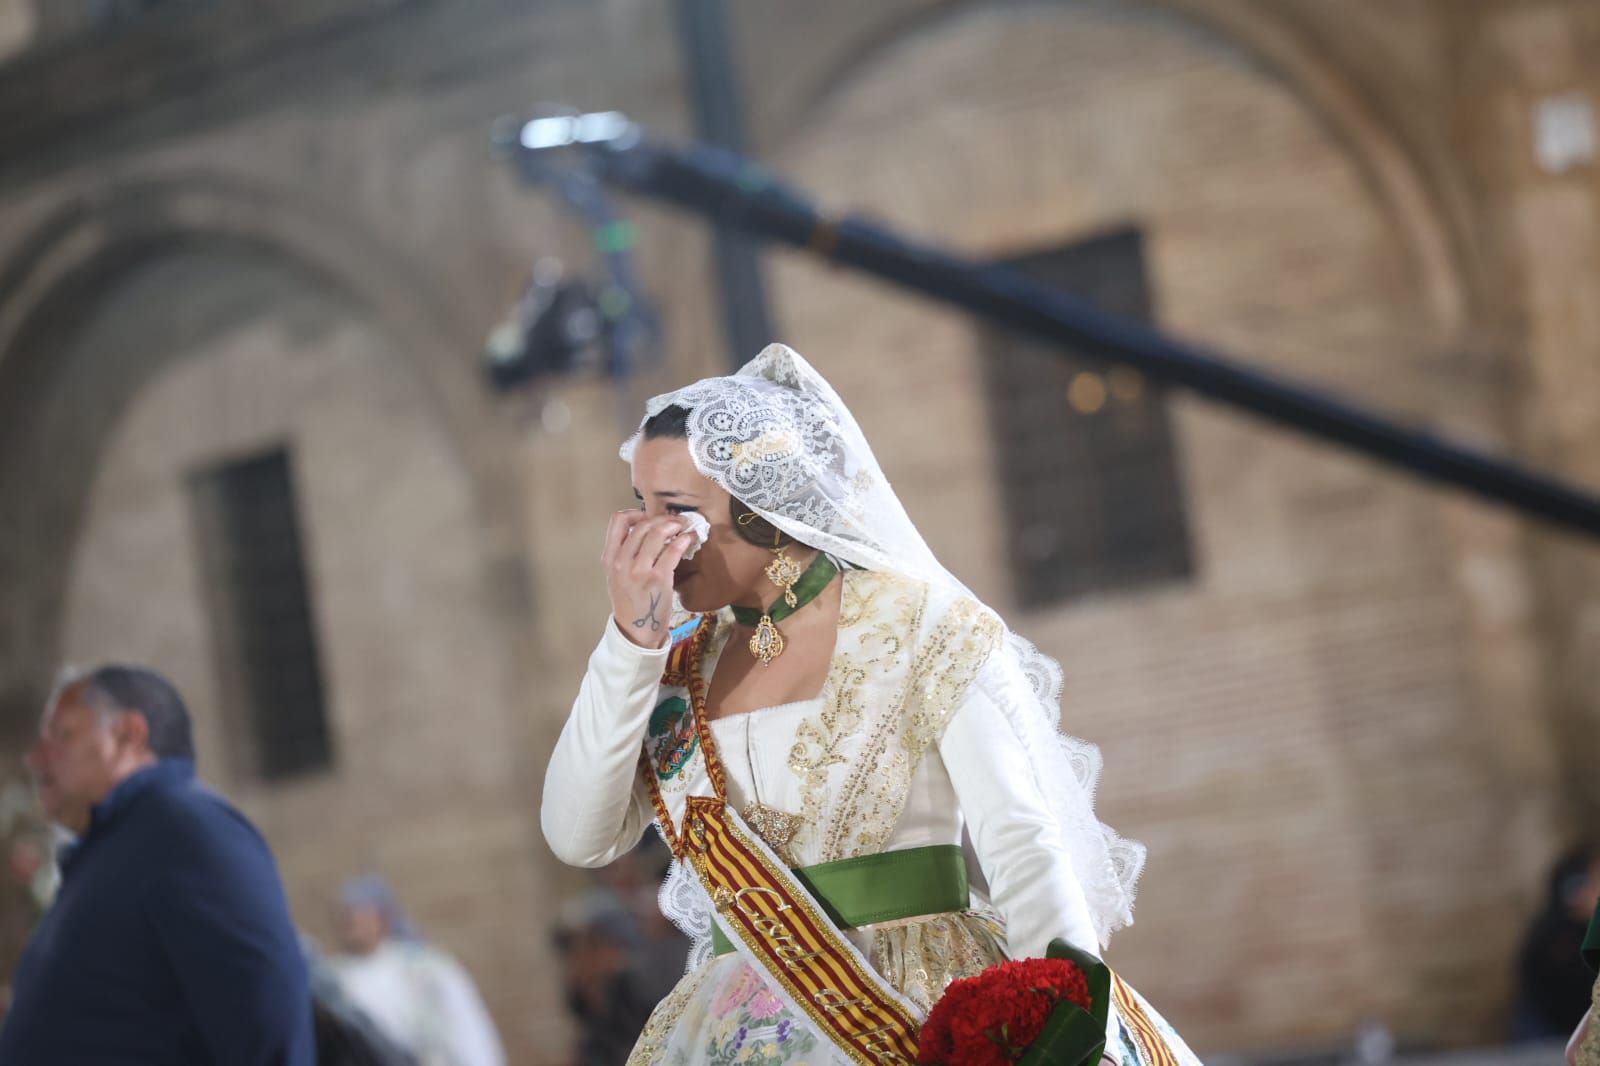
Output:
x=738 y=193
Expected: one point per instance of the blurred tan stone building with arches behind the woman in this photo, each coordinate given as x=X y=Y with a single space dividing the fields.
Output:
x=250 y=252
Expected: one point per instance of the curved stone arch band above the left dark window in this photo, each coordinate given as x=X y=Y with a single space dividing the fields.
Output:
x=94 y=241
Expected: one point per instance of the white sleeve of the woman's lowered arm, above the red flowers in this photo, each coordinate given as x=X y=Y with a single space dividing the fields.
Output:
x=1017 y=838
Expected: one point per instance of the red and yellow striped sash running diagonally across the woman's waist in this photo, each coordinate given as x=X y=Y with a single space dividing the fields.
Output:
x=761 y=905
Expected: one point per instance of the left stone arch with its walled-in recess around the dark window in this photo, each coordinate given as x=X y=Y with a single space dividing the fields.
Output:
x=423 y=619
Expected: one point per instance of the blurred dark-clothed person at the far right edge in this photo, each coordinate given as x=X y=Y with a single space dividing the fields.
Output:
x=1554 y=984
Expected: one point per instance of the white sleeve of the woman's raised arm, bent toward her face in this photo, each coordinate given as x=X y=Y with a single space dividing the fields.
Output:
x=594 y=804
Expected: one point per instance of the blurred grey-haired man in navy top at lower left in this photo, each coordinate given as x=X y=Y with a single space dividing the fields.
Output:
x=170 y=939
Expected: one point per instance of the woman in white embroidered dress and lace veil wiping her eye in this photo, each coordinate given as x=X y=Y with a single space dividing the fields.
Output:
x=817 y=734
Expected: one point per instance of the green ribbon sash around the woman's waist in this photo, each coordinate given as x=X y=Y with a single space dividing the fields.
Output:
x=882 y=888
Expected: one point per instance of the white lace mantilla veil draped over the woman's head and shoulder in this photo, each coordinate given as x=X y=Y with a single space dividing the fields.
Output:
x=778 y=439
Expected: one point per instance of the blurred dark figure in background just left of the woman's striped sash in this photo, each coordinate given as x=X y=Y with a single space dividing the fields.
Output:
x=620 y=955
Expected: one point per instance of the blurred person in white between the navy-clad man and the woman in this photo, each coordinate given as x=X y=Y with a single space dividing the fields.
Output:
x=420 y=998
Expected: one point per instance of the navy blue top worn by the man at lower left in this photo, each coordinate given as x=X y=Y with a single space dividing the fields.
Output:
x=169 y=945
